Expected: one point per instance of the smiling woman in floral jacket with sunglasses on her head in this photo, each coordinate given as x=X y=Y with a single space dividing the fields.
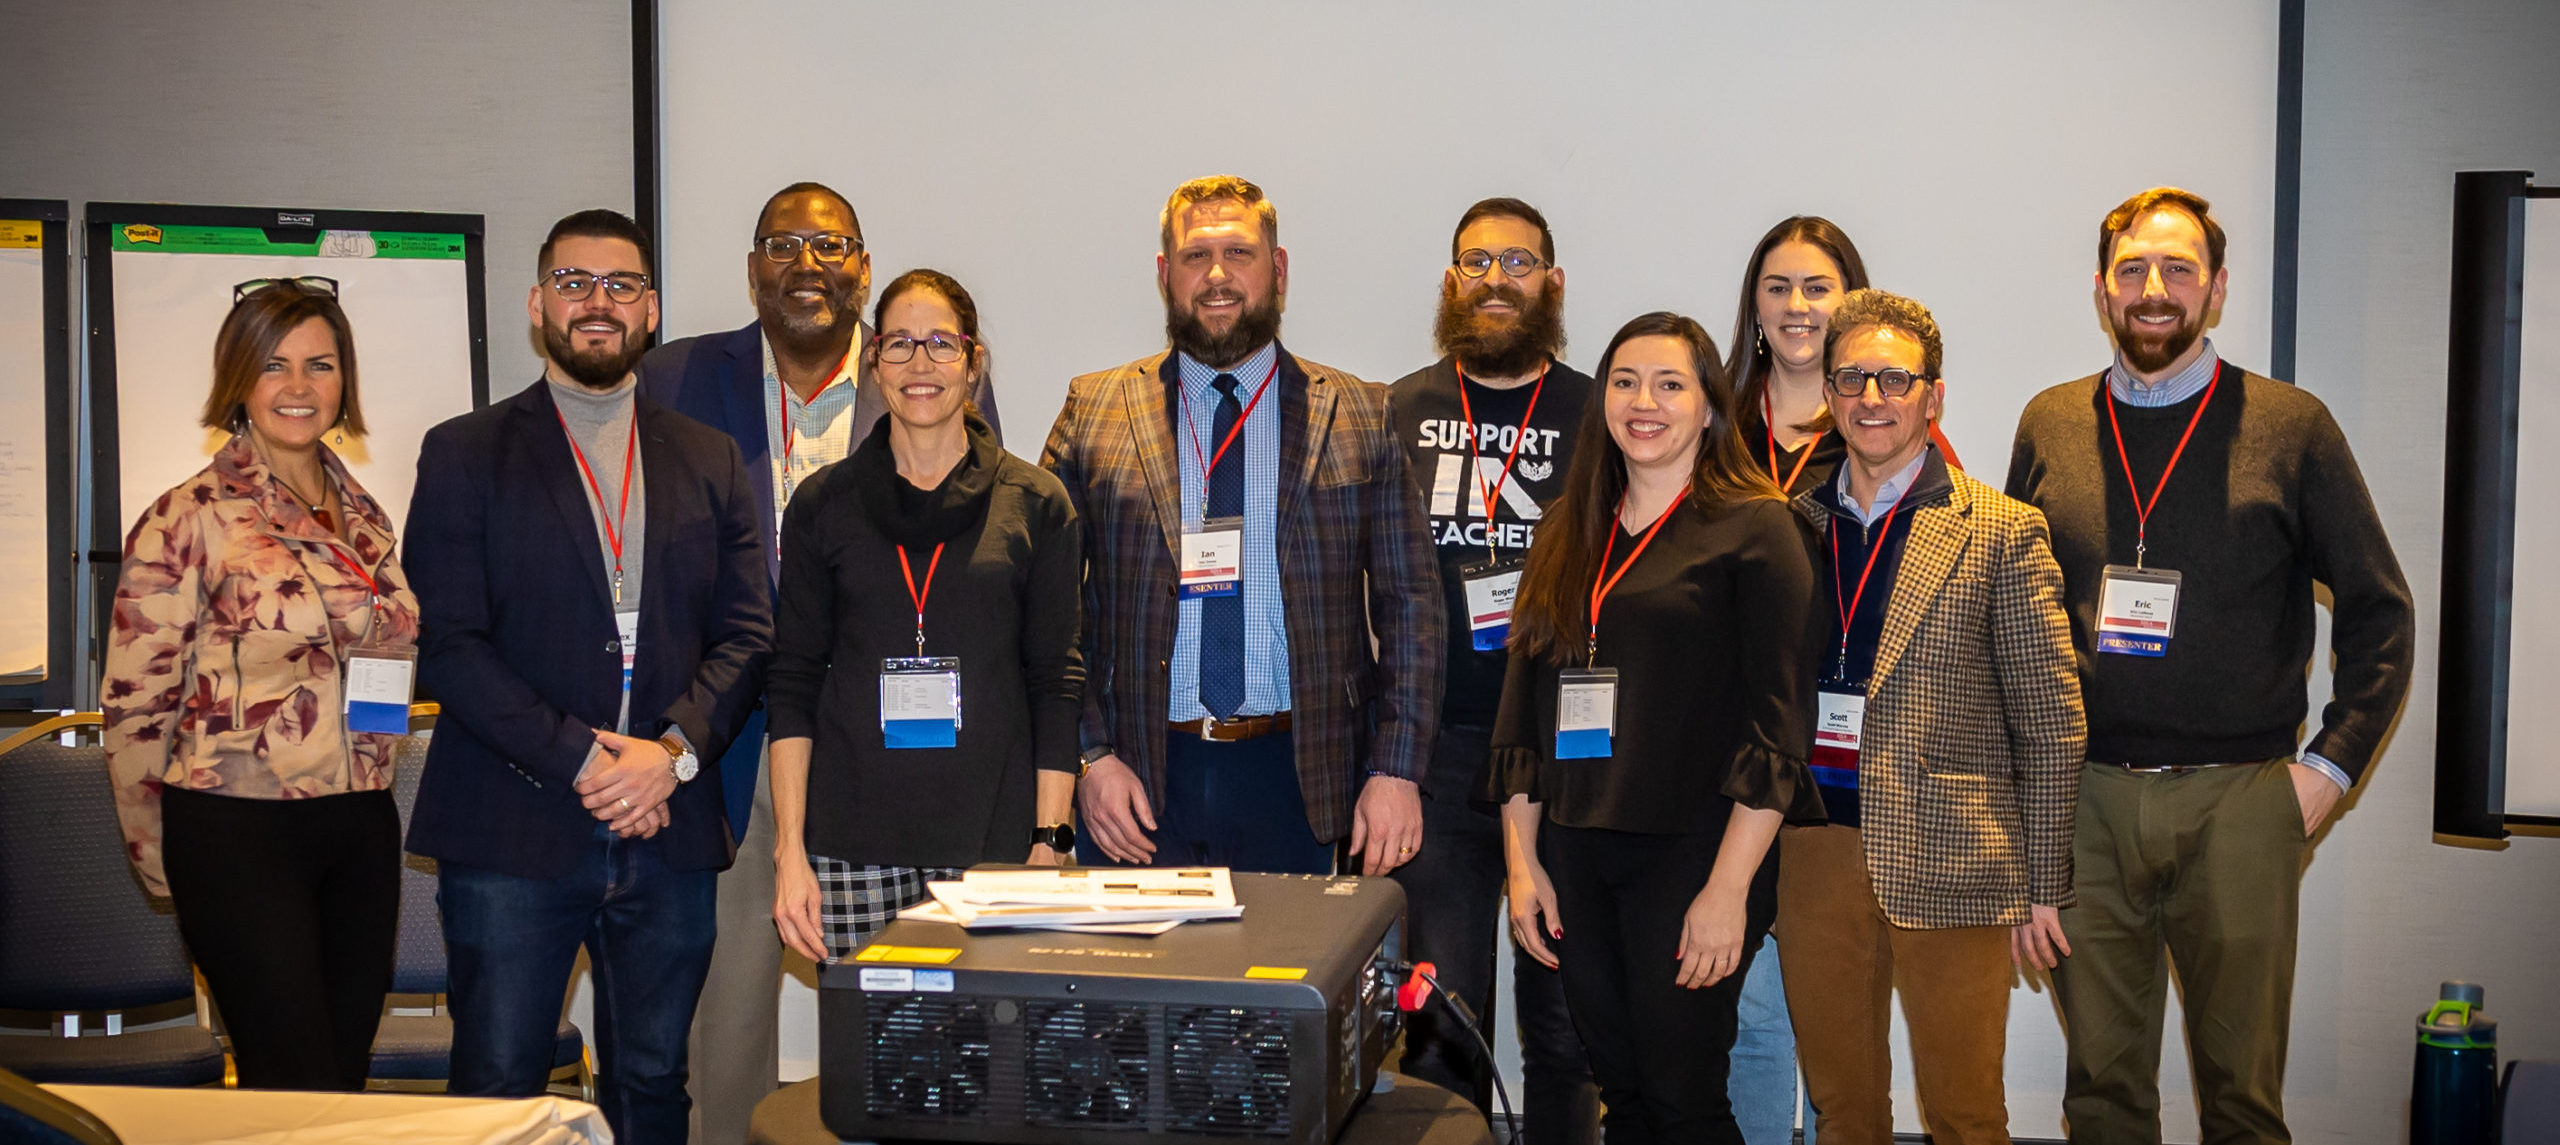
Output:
x=262 y=634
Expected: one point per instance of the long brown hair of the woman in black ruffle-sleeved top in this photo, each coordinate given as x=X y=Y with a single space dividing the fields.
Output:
x=1553 y=613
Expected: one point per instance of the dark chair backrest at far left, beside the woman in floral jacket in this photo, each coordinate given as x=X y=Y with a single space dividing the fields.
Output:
x=81 y=929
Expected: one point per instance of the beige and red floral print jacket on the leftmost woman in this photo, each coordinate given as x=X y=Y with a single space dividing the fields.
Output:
x=224 y=662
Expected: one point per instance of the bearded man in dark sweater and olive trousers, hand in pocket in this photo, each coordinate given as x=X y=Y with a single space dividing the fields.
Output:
x=2195 y=808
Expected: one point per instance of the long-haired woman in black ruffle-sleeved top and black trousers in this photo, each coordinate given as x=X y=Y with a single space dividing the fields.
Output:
x=1655 y=729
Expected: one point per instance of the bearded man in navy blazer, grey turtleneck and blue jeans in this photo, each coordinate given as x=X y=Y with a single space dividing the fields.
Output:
x=595 y=621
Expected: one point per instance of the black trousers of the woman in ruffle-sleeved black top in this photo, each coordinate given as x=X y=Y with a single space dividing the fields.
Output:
x=1660 y=1052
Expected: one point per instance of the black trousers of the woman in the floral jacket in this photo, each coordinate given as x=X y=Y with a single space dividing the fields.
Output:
x=293 y=911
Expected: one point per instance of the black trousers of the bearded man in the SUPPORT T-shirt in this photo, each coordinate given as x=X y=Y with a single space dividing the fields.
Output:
x=1453 y=903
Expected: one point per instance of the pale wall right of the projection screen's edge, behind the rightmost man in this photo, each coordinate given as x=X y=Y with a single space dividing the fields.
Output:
x=2395 y=101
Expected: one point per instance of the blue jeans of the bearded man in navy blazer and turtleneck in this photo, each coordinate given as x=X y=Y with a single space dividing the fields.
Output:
x=513 y=941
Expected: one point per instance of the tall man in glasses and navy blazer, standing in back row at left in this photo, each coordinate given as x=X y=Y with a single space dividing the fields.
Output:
x=790 y=391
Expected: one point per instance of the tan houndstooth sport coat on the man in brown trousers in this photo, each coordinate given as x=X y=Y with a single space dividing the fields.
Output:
x=1975 y=736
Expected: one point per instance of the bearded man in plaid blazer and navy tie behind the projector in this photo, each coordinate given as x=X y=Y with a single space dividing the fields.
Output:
x=1330 y=742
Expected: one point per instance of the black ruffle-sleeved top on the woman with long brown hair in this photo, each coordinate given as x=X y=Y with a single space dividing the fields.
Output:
x=1714 y=642
